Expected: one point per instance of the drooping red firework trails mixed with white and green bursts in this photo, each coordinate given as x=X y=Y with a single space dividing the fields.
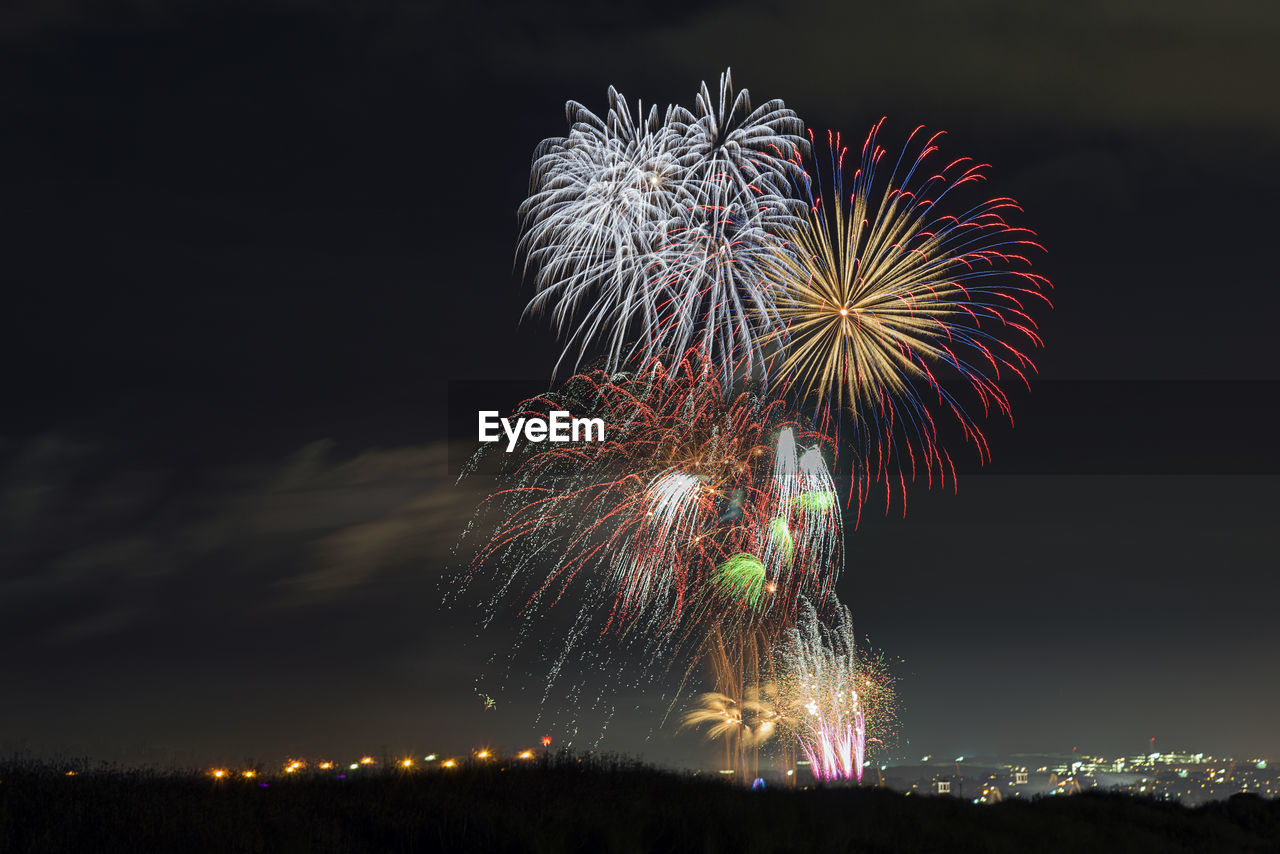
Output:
x=701 y=515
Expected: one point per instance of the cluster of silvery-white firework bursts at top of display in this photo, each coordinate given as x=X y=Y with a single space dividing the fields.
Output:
x=650 y=236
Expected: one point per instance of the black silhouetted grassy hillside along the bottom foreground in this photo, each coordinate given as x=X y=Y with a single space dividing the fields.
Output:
x=582 y=807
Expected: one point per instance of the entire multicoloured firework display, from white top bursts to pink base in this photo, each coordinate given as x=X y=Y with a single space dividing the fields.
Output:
x=756 y=318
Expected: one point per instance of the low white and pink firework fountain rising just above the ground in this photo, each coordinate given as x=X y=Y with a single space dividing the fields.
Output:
x=830 y=696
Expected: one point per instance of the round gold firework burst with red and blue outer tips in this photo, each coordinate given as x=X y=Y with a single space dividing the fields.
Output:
x=889 y=291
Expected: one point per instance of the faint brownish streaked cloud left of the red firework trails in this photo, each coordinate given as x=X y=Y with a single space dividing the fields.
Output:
x=95 y=546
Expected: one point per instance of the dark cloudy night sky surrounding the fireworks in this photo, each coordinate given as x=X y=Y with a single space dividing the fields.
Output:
x=249 y=246
